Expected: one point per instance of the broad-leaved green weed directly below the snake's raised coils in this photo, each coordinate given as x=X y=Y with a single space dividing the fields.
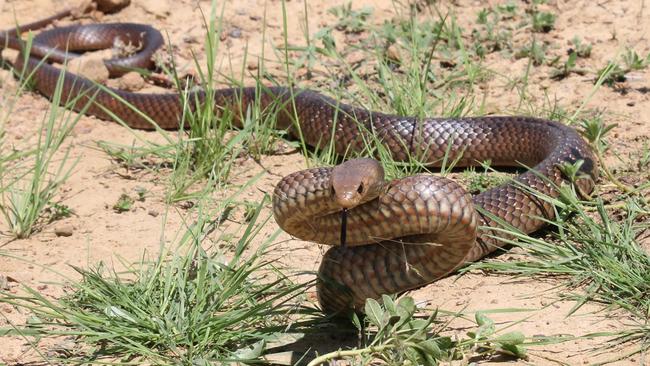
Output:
x=394 y=333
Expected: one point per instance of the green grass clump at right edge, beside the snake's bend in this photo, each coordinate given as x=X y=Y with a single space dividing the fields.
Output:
x=600 y=255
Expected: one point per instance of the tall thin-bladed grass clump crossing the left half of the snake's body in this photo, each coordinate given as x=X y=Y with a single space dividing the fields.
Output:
x=204 y=147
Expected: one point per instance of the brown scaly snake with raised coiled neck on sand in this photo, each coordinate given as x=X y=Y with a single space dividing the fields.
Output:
x=401 y=234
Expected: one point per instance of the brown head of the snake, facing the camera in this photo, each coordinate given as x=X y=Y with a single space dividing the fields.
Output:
x=356 y=181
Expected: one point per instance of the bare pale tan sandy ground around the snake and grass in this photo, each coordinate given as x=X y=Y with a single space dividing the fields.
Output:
x=99 y=233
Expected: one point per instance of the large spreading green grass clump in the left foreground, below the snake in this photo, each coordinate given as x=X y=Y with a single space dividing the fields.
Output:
x=189 y=306
